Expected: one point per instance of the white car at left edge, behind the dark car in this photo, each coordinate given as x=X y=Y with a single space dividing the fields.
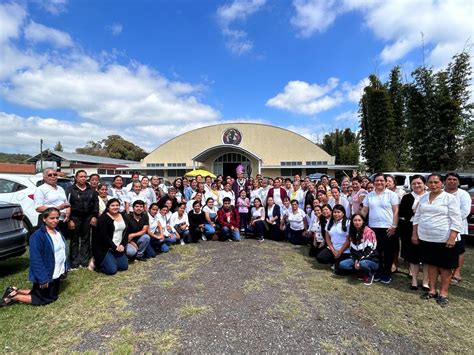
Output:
x=20 y=189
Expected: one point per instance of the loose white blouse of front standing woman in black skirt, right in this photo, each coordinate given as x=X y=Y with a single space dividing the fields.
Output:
x=435 y=220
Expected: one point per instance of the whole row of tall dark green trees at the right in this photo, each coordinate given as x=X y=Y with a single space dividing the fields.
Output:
x=425 y=125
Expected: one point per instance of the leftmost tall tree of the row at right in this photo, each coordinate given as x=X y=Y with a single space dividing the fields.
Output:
x=377 y=126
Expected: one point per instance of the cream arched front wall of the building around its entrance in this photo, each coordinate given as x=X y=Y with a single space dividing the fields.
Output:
x=271 y=144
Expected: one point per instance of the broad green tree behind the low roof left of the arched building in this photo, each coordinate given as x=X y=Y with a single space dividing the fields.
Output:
x=113 y=146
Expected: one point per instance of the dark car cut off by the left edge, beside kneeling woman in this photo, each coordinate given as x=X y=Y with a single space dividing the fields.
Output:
x=12 y=232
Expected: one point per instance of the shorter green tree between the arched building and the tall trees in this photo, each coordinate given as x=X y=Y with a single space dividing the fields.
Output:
x=344 y=145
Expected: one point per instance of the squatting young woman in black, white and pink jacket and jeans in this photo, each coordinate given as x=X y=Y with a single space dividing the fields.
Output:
x=364 y=256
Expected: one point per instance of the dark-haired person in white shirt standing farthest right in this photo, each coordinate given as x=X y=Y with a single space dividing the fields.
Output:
x=451 y=182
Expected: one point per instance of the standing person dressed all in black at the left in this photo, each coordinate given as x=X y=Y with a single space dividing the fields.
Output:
x=84 y=212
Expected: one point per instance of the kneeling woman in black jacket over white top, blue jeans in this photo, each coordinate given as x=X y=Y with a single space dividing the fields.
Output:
x=110 y=240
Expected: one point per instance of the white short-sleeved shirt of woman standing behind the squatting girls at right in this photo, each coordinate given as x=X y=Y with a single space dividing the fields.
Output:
x=380 y=208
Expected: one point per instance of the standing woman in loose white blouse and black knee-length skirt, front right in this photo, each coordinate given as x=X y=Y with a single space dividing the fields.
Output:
x=436 y=224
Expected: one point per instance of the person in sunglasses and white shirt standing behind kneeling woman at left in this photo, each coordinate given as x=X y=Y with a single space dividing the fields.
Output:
x=50 y=194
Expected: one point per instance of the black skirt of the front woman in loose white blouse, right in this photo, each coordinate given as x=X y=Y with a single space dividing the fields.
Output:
x=439 y=255
